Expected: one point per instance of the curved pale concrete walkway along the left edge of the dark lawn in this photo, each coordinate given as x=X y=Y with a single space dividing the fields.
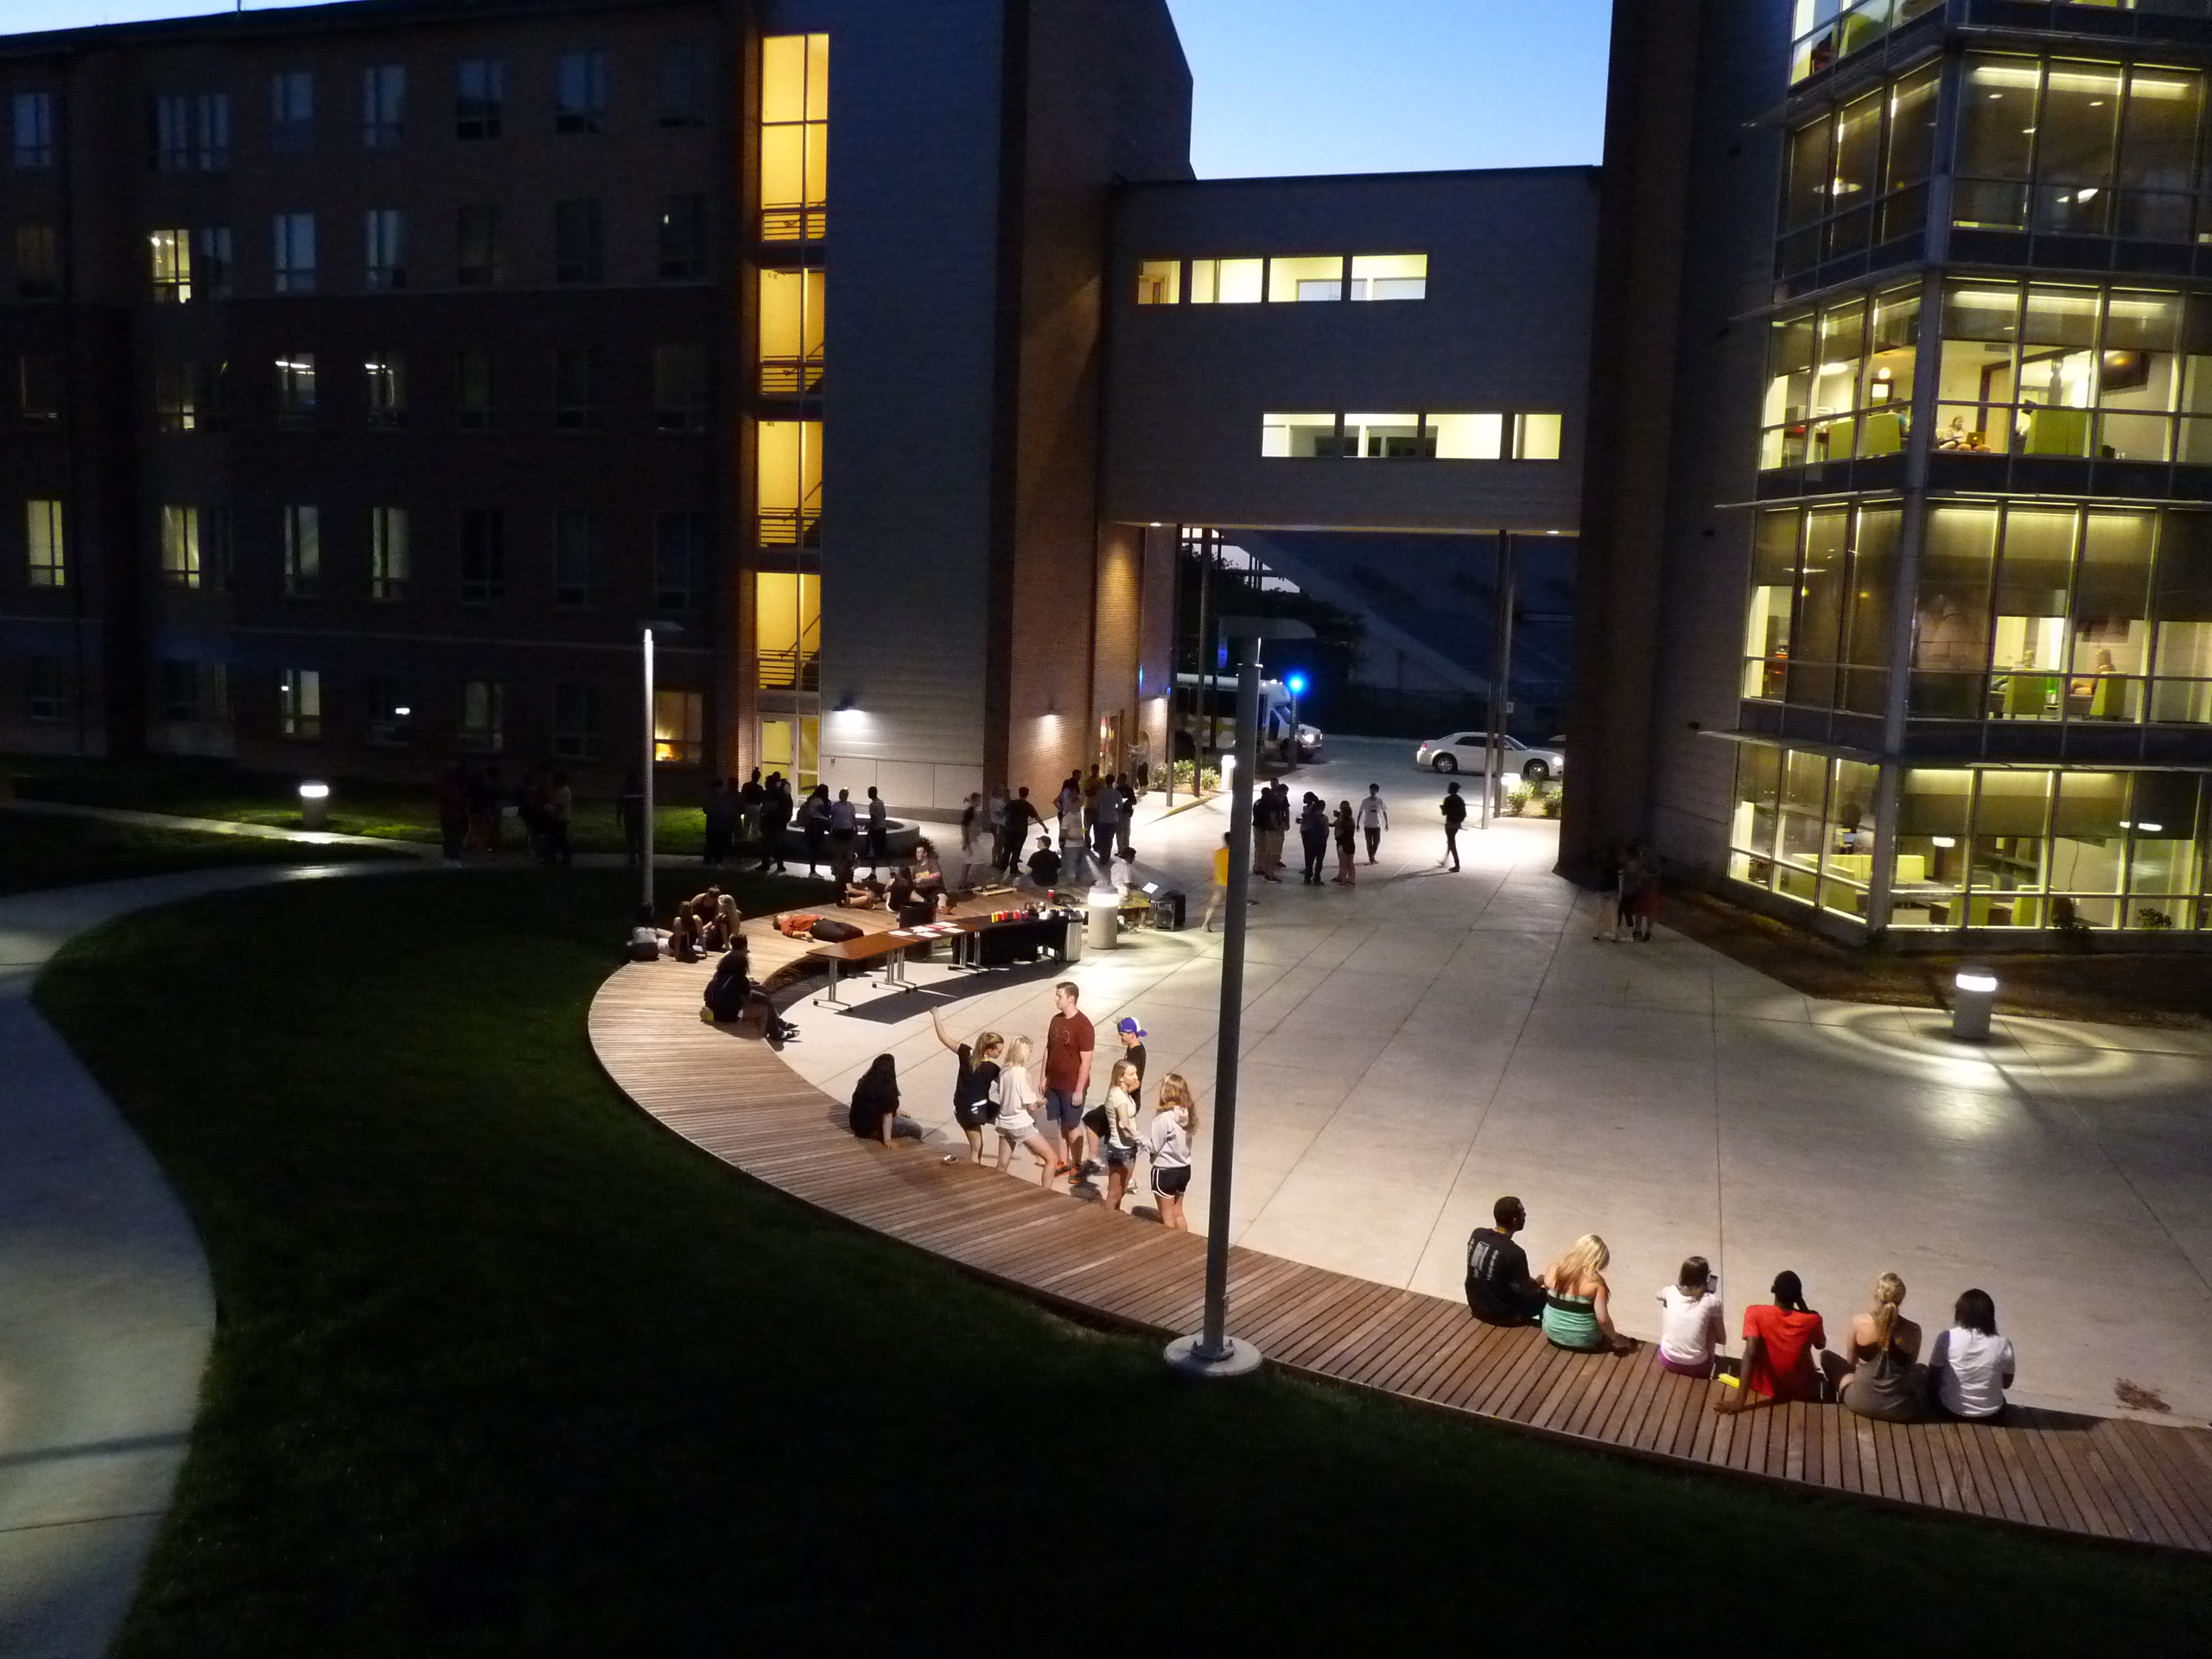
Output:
x=105 y=1300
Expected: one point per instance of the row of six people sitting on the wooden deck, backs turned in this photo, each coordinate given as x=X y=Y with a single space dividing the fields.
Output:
x=1877 y=1373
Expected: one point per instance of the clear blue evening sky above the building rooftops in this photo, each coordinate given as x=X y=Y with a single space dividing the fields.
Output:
x=1304 y=85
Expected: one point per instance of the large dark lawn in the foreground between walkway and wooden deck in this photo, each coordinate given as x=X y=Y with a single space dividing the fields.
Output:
x=508 y=1370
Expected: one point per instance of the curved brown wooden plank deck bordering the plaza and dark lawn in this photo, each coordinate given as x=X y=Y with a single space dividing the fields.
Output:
x=738 y=1100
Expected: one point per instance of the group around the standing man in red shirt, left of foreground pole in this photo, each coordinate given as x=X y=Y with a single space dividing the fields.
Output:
x=1052 y=1116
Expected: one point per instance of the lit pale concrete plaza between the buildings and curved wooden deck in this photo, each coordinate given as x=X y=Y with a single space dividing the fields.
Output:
x=1423 y=1043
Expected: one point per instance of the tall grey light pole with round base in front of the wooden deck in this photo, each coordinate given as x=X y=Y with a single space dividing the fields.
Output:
x=1213 y=1350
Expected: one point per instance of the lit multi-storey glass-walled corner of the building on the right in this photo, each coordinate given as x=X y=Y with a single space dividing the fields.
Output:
x=1976 y=667
